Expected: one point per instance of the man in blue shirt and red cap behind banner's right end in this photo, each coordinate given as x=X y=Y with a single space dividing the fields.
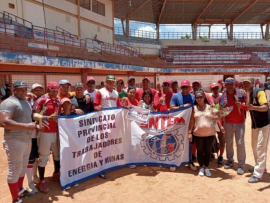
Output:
x=180 y=100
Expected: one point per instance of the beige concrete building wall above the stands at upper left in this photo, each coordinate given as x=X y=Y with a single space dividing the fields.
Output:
x=64 y=14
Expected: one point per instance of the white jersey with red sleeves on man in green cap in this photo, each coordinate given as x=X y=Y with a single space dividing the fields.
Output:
x=106 y=98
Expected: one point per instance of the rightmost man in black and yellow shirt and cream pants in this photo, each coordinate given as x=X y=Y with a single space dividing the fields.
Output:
x=258 y=108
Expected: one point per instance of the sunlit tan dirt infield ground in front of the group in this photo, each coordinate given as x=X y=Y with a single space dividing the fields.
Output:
x=155 y=184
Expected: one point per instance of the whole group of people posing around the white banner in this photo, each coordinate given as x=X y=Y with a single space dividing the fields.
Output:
x=30 y=122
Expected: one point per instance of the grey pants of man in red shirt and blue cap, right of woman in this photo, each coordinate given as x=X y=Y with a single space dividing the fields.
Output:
x=238 y=131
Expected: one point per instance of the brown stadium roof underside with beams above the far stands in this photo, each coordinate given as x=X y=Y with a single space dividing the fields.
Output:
x=194 y=11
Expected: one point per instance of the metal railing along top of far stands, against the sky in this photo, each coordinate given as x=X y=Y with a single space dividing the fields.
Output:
x=187 y=35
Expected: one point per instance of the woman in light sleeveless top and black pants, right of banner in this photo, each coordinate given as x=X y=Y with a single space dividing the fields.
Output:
x=204 y=131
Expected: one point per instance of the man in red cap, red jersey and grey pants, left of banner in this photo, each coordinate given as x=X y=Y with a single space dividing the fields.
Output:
x=48 y=139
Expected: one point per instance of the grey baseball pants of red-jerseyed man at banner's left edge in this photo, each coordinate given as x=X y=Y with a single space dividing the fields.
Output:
x=46 y=142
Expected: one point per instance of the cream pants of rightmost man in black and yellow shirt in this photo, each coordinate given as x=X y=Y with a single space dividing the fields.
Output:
x=259 y=142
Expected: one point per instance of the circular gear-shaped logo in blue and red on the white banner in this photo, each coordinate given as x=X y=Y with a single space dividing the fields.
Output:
x=163 y=146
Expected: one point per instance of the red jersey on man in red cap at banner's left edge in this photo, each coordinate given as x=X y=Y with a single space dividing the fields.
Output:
x=52 y=106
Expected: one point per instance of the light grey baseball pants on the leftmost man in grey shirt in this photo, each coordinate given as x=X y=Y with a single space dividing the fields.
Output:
x=18 y=152
